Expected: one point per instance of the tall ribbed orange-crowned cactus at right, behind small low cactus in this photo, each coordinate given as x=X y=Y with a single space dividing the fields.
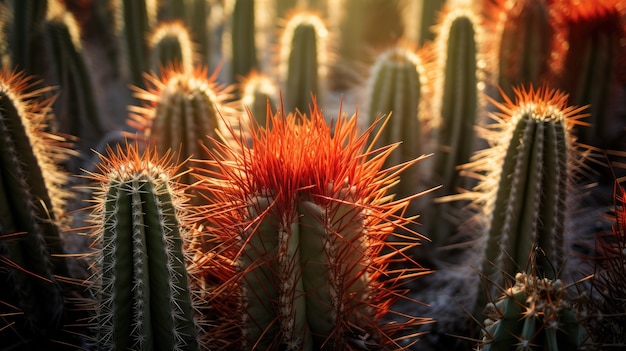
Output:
x=526 y=184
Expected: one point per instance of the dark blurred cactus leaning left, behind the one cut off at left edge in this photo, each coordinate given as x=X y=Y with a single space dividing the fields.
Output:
x=75 y=107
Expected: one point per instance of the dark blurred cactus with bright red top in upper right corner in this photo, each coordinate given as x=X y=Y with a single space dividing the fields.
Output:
x=591 y=70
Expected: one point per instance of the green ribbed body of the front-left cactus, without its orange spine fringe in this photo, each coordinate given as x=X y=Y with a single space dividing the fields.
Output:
x=145 y=300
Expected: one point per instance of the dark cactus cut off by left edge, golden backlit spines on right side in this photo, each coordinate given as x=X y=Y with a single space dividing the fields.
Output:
x=32 y=198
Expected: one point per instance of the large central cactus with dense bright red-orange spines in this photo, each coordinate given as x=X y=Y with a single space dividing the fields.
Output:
x=304 y=215
